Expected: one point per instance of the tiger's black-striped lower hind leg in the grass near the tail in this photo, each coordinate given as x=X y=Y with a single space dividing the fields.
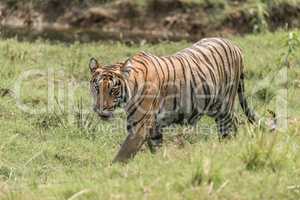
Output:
x=227 y=125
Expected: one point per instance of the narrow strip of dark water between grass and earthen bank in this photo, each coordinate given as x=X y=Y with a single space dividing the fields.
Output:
x=82 y=35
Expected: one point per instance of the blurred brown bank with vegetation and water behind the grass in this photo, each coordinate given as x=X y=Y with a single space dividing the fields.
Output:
x=151 y=20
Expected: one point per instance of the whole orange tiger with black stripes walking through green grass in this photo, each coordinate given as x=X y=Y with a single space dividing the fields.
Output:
x=157 y=91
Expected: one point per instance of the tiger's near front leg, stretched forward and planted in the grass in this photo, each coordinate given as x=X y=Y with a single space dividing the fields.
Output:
x=135 y=139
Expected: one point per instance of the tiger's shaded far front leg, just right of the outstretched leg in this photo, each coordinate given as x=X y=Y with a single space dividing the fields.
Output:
x=155 y=140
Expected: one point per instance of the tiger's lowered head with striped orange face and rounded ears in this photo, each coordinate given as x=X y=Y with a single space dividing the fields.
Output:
x=108 y=86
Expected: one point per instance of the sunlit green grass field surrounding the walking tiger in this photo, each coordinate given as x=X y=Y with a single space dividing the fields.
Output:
x=66 y=154
